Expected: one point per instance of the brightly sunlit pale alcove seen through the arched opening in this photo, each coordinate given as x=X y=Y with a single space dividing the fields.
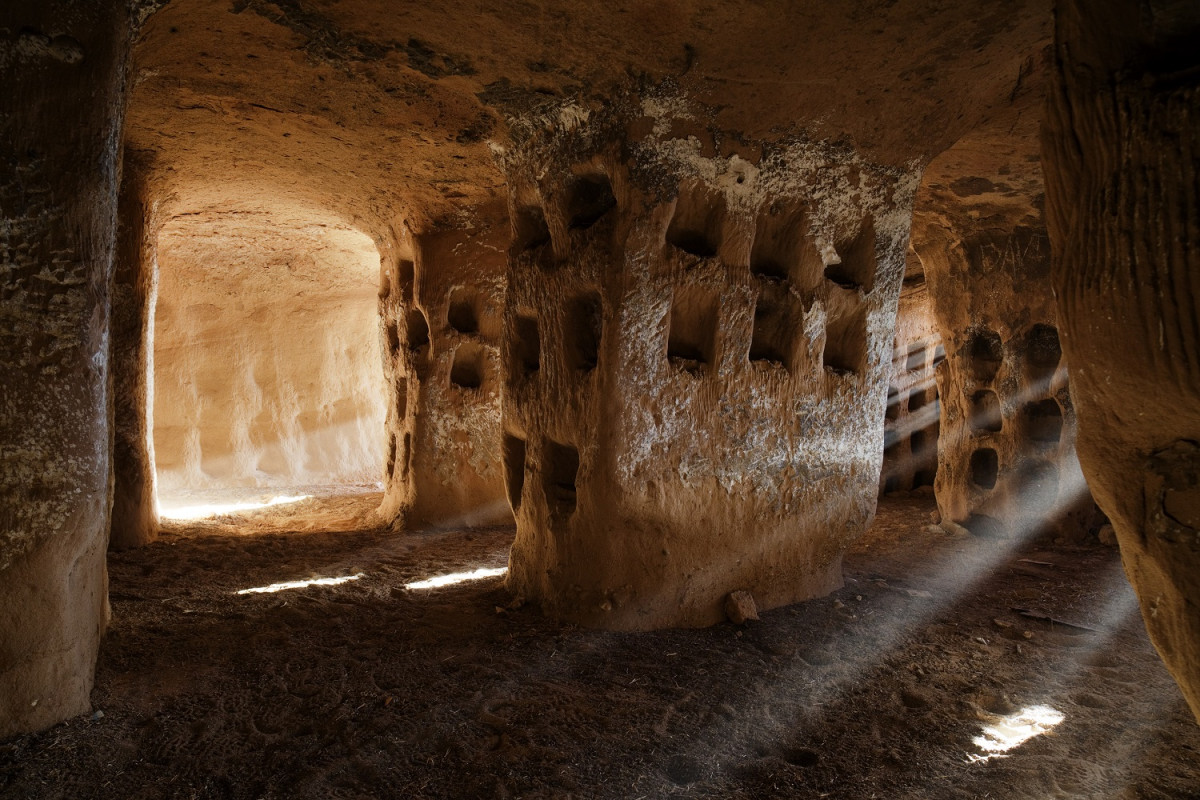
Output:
x=268 y=381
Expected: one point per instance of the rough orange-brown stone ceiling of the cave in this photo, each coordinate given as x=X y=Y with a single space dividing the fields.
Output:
x=376 y=112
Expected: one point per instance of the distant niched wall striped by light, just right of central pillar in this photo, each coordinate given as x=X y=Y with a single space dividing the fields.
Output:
x=913 y=420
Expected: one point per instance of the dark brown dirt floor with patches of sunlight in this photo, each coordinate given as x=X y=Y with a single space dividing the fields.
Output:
x=369 y=689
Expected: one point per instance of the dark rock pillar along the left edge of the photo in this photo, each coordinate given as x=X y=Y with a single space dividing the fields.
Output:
x=64 y=82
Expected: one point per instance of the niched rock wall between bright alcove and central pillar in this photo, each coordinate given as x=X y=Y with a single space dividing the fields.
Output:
x=441 y=312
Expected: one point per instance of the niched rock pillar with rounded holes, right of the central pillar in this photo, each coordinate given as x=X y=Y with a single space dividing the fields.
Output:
x=1007 y=458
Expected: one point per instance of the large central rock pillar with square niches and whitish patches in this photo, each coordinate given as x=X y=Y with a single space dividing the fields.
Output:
x=695 y=369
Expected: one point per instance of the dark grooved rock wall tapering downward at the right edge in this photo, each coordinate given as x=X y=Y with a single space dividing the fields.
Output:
x=1121 y=151
